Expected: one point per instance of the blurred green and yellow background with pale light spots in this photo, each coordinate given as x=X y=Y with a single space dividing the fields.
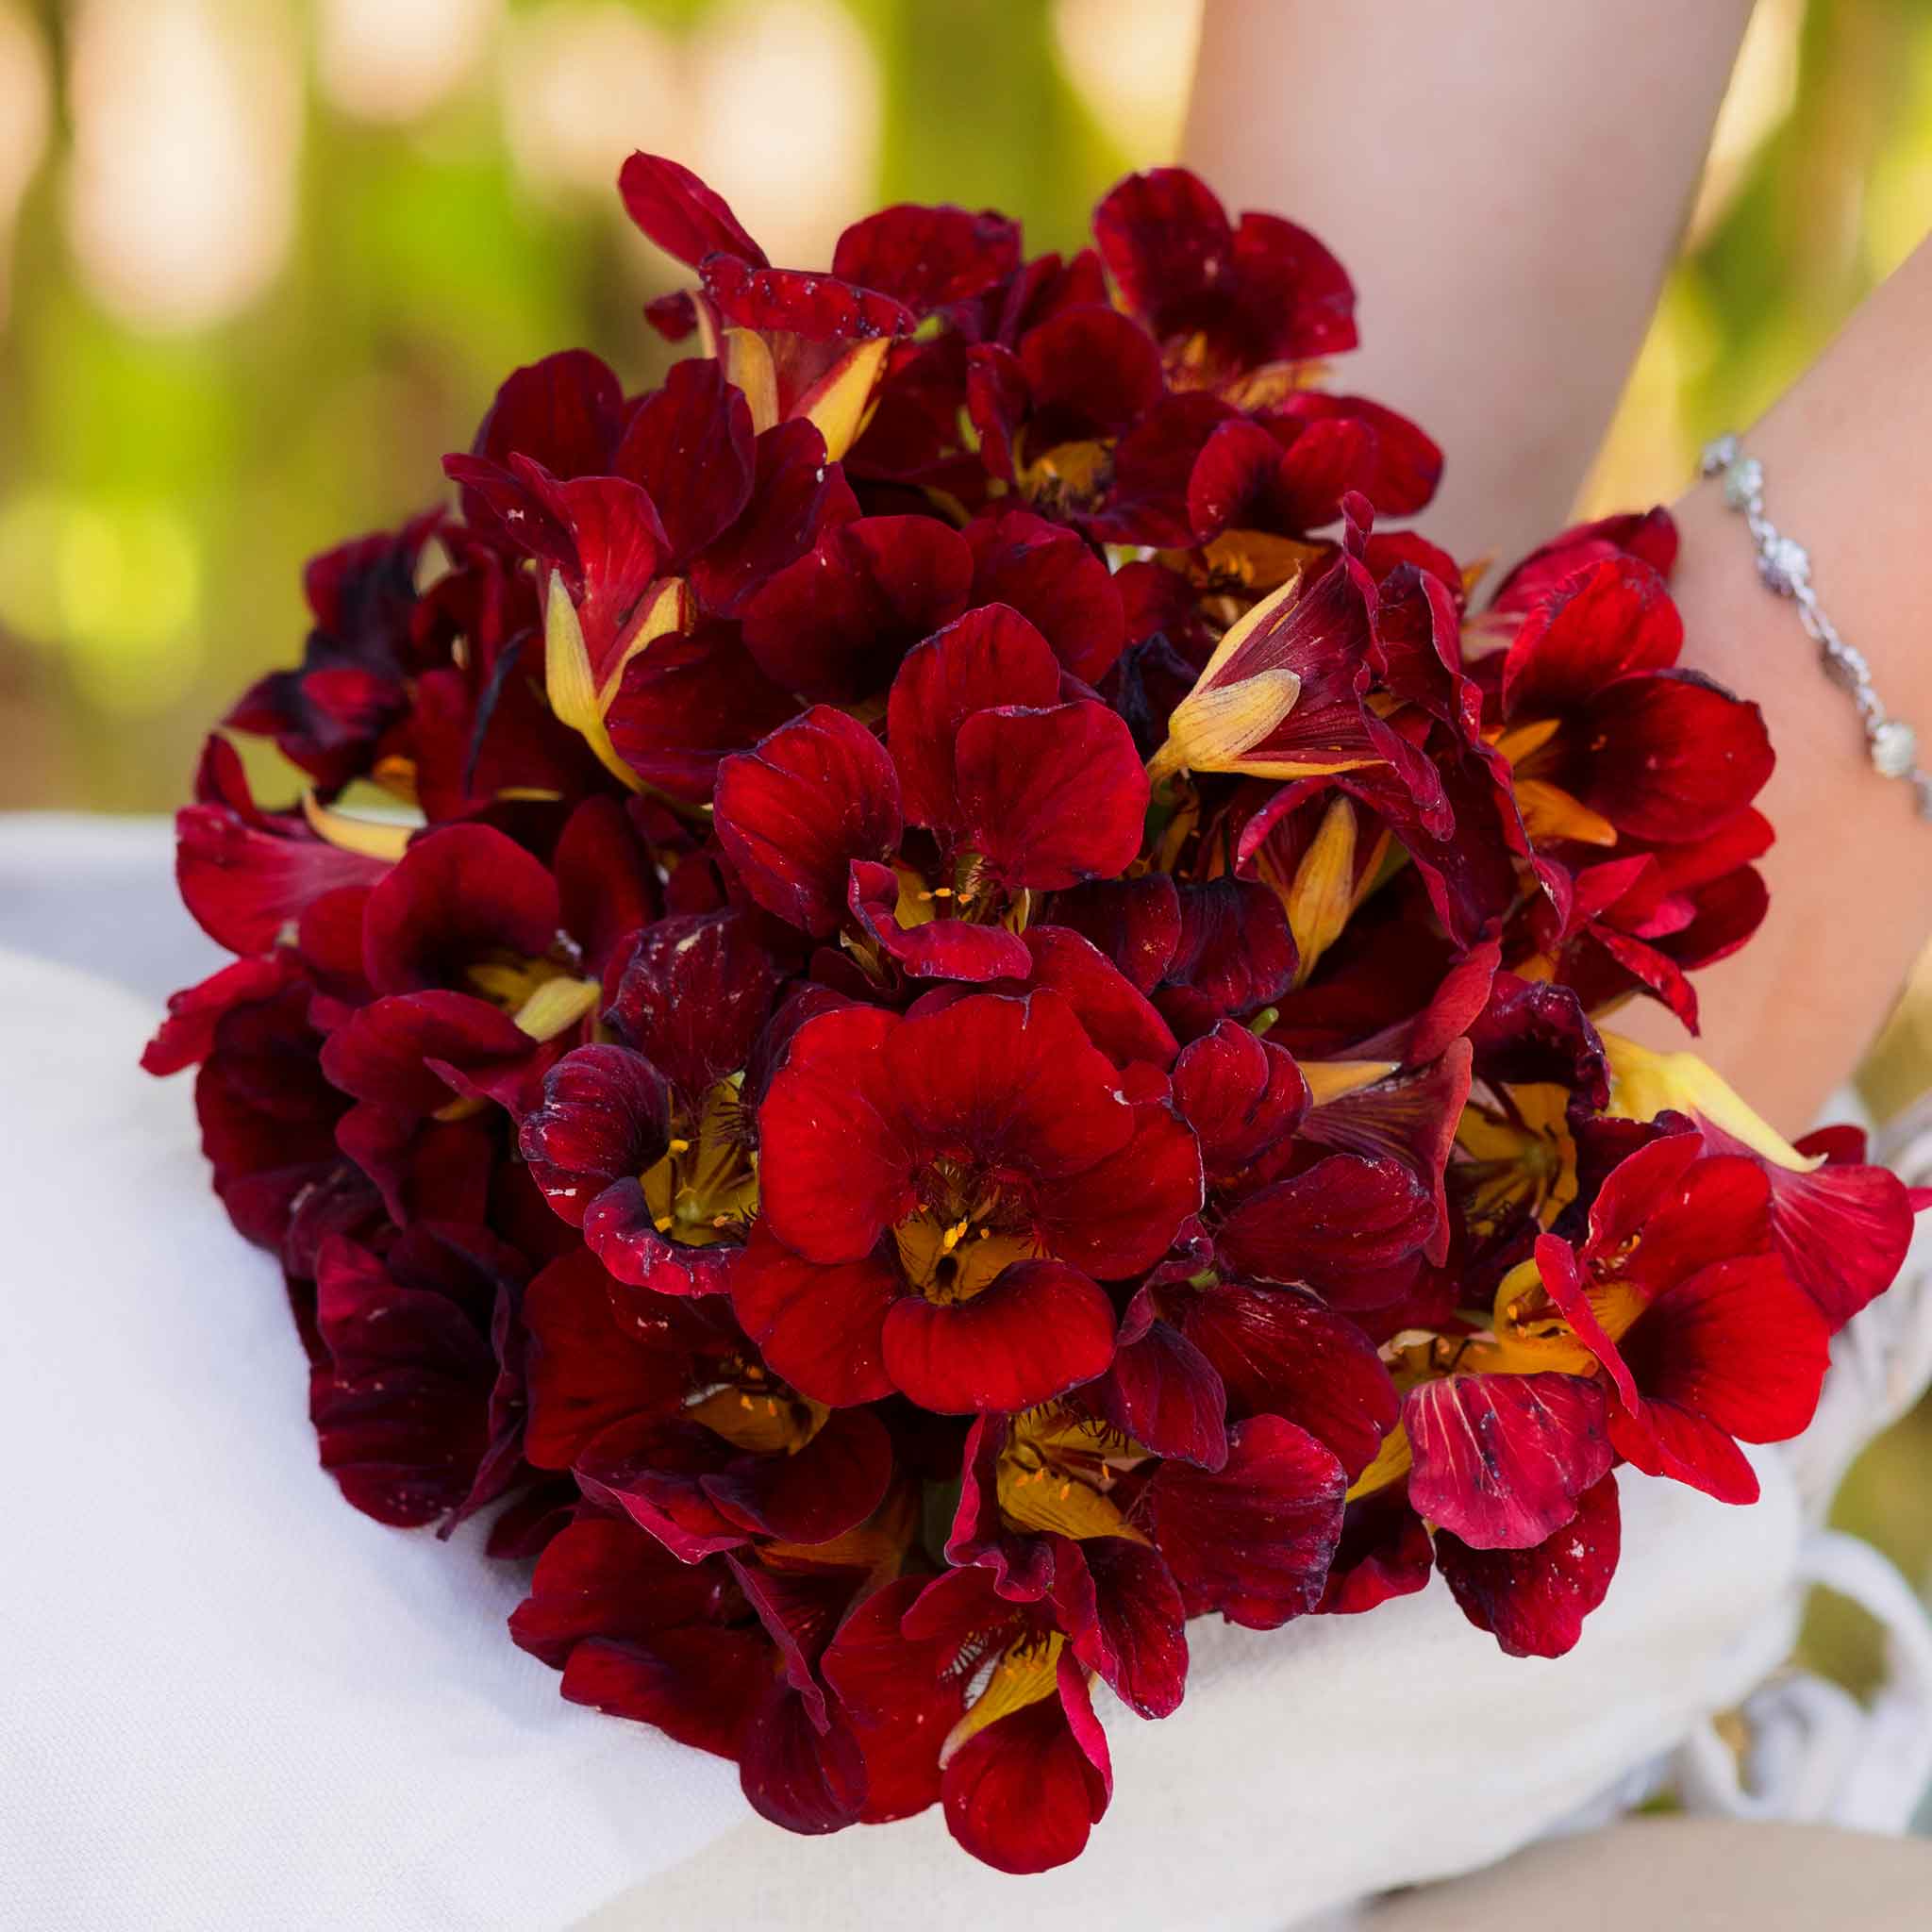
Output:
x=264 y=262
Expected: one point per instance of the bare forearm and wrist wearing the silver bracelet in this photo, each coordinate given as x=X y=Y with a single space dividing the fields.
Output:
x=1848 y=472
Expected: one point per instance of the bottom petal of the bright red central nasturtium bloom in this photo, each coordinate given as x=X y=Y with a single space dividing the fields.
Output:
x=1037 y=1332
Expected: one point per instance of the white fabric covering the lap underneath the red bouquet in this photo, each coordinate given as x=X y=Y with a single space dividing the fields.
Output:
x=237 y=1703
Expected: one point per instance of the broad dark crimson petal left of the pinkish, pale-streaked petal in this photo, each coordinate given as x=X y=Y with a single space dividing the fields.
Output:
x=1257 y=1537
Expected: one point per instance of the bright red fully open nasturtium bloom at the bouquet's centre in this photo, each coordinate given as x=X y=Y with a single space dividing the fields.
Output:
x=944 y=1197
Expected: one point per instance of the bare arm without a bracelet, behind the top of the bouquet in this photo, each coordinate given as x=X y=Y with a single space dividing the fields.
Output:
x=1506 y=183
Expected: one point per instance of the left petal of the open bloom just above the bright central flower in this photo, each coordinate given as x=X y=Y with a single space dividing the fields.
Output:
x=793 y=816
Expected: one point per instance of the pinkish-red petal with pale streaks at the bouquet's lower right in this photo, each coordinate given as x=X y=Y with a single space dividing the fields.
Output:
x=1502 y=1460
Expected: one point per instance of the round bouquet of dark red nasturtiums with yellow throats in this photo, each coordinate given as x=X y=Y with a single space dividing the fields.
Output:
x=979 y=1031
